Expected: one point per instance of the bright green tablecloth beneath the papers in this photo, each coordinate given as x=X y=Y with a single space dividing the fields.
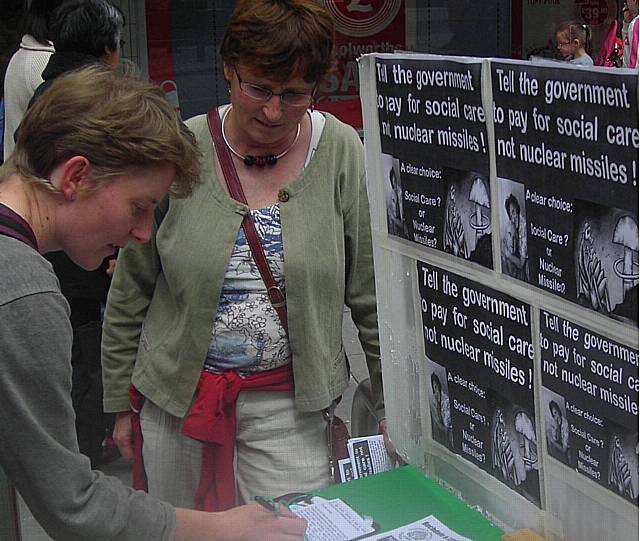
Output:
x=404 y=495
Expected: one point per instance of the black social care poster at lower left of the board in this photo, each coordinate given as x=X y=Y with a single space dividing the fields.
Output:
x=480 y=368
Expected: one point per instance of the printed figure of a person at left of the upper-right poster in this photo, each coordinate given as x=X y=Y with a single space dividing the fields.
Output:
x=514 y=242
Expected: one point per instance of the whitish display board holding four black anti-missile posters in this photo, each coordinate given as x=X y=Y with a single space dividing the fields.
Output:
x=504 y=204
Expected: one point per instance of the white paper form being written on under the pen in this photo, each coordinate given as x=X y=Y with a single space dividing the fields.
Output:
x=333 y=520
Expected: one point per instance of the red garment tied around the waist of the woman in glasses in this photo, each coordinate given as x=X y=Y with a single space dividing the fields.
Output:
x=212 y=421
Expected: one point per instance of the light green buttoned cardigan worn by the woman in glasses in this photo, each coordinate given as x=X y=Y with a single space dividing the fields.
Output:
x=164 y=295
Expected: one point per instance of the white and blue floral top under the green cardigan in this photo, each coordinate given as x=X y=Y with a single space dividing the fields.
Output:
x=247 y=334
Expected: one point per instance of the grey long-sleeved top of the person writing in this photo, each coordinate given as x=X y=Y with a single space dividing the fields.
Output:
x=38 y=447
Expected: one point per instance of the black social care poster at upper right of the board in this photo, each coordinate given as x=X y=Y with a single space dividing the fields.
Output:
x=567 y=166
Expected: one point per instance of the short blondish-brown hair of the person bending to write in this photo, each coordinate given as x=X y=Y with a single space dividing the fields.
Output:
x=118 y=123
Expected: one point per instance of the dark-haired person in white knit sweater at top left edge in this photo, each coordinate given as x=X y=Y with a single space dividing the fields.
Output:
x=24 y=72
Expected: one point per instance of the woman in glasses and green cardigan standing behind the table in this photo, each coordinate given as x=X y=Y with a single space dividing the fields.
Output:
x=189 y=322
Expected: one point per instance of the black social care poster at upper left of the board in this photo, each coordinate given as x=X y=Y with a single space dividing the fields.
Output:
x=435 y=155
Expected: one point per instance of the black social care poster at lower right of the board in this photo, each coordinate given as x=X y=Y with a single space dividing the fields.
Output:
x=590 y=401
